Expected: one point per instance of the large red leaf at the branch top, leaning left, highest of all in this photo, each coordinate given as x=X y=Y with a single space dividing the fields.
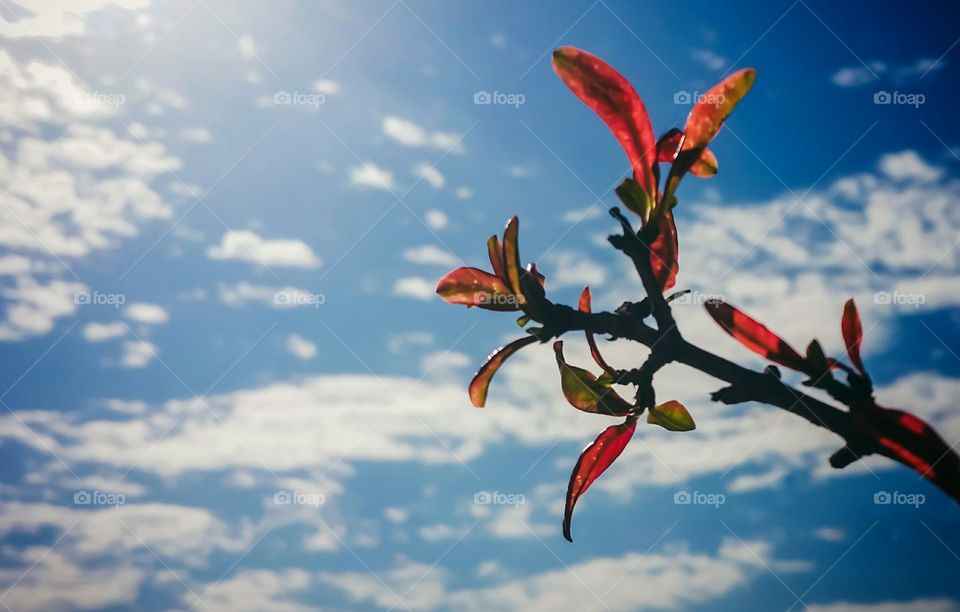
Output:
x=612 y=97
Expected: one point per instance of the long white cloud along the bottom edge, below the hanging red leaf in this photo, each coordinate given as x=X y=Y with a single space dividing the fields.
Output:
x=673 y=578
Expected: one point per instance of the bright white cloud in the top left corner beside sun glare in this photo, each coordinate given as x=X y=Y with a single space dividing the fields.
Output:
x=58 y=18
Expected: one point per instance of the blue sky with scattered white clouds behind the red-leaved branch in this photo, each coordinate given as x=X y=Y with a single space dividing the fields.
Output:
x=222 y=226
